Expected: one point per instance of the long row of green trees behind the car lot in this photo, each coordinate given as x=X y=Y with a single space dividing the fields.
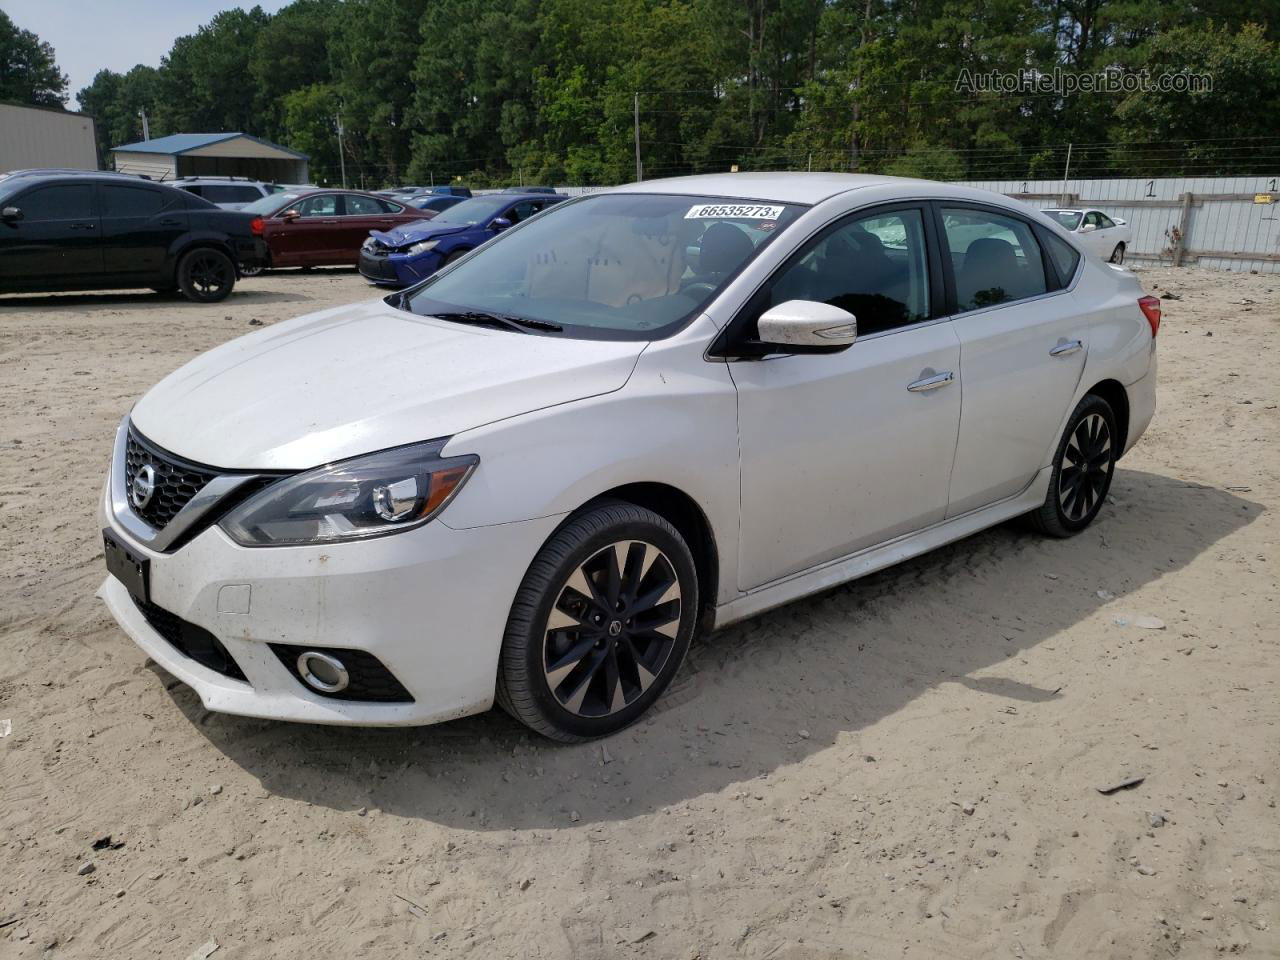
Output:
x=545 y=92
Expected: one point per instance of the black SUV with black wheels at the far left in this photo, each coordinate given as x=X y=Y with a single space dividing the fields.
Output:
x=65 y=231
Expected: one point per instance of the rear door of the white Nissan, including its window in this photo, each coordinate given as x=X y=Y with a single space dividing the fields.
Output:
x=1023 y=344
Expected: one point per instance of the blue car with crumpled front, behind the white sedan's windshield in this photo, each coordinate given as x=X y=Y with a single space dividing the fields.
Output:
x=415 y=252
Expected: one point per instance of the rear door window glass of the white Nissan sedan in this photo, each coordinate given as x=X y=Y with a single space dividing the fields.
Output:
x=995 y=258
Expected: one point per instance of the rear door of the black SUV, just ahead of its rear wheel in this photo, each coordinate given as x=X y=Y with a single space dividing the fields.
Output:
x=140 y=226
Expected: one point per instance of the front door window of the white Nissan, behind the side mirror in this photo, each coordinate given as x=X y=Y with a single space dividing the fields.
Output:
x=874 y=267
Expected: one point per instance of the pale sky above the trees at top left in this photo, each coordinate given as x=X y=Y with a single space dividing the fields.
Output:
x=92 y=35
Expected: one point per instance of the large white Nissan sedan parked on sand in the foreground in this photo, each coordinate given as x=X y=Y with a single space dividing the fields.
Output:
x=646 y=413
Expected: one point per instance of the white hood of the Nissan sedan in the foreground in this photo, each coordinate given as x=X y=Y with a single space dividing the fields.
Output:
x=364 y=378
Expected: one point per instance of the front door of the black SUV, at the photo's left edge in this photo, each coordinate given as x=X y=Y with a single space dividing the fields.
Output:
x=57 y=237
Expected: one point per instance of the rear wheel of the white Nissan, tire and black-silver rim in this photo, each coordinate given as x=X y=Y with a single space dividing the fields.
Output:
x=1073 y=500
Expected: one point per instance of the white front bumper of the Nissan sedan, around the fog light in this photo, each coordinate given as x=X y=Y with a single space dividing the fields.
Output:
x=431 y=605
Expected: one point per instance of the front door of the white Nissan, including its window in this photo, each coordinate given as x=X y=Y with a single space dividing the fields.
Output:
x=845 y=451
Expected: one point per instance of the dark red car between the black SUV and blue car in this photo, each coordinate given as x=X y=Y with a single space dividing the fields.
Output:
x=324 y=227
